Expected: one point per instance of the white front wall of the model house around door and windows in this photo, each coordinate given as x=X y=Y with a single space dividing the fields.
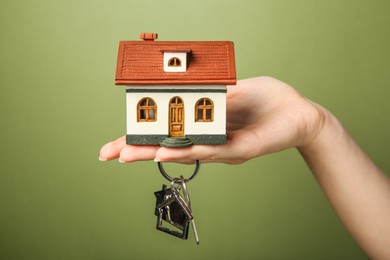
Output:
x=162 y=98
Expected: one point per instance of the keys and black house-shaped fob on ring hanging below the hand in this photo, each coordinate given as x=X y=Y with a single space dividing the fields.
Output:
x=173 y=206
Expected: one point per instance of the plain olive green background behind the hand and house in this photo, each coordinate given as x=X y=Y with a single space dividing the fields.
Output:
x=59 y=105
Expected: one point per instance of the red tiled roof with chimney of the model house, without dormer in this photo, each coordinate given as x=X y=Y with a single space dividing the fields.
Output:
x=208 y=62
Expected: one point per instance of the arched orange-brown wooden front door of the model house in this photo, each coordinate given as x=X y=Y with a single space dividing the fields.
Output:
x=176 y=117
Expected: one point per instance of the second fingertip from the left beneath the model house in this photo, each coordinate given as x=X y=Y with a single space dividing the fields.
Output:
x=132 y=153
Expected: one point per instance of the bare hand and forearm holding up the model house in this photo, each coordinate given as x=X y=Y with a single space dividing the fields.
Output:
x=265 y=115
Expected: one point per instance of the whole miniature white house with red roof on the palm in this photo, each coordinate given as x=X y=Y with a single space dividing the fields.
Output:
x=175 y=90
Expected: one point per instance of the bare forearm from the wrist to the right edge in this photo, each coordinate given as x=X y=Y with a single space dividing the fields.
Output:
x=357 y=189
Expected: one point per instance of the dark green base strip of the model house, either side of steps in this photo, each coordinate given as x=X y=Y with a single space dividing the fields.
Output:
x=157 y=139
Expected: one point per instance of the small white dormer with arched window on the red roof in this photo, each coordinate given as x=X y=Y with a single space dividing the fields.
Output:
x=175 y=60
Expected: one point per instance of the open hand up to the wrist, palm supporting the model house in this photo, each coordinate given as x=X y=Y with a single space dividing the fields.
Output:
x=264 y=115
